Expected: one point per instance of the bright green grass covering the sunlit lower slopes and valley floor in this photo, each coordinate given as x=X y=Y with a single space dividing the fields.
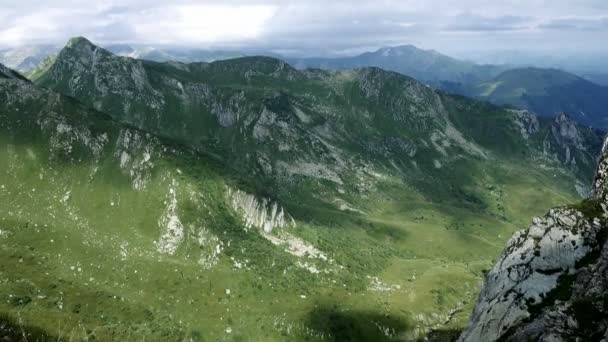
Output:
x=431 y=255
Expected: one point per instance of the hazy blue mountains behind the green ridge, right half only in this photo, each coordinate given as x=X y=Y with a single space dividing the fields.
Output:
x=543 y=91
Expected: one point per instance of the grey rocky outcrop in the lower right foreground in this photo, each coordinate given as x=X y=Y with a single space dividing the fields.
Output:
x=551 y=281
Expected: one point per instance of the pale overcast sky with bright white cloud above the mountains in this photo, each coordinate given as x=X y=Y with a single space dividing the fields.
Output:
x=314 y=27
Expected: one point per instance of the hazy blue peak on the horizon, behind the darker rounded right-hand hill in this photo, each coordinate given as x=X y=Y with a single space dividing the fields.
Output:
x=425 y=65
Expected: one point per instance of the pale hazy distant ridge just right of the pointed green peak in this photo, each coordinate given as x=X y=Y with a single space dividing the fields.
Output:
x=184 y=55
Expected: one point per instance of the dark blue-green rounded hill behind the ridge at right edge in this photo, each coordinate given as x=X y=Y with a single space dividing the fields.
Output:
x=543 y=91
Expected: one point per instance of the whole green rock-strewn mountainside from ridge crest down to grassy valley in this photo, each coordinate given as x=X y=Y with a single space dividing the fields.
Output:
x=244 y=199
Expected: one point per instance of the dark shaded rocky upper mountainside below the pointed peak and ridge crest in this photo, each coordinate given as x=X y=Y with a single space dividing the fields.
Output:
x=259 y=113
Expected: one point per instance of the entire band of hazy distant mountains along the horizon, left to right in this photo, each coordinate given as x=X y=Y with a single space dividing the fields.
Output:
x=544 y=91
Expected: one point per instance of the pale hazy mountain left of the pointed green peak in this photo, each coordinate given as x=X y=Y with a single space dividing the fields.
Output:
x=26 y=58
